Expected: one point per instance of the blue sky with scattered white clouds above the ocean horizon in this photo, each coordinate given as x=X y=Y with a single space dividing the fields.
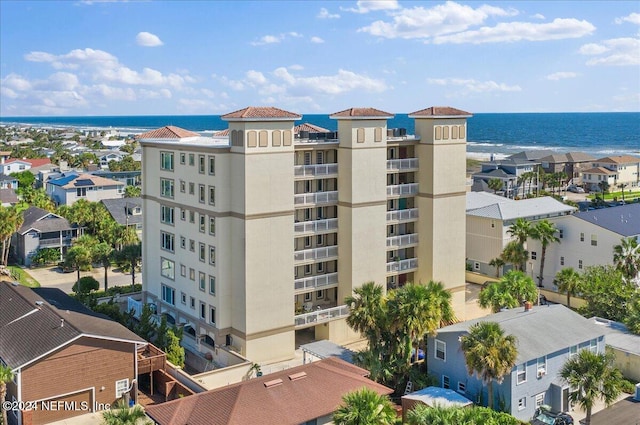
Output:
x=109 y=57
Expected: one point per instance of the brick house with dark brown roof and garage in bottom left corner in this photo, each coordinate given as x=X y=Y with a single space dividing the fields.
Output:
x=61 y=352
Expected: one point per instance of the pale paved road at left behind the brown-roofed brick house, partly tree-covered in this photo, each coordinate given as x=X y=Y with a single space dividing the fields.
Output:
x=52 y=277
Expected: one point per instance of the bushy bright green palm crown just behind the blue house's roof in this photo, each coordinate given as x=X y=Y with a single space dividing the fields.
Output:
x=512 y=289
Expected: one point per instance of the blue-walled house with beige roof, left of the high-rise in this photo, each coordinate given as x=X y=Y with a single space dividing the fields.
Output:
x=68 y=188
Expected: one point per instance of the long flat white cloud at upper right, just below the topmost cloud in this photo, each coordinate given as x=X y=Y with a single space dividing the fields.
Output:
x=559 y=29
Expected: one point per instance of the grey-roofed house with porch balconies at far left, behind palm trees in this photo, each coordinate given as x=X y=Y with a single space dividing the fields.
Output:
x=42 y=229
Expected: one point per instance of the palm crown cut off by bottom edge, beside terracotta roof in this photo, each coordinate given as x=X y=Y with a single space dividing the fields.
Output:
x=365 y=407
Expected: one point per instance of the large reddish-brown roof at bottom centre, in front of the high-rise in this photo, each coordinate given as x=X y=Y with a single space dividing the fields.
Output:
x=292 y=396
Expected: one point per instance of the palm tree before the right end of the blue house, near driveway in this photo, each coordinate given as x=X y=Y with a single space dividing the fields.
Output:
x=592 y=376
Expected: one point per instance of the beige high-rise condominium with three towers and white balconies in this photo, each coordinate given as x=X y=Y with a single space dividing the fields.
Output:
x=254 y=236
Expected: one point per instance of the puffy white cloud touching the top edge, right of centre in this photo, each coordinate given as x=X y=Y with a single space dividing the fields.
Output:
x=419 y=22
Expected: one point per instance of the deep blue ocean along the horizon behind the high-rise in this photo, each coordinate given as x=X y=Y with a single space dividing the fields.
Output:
x=599 y=134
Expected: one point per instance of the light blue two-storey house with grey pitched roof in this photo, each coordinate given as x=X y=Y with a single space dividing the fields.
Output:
x=547 y=336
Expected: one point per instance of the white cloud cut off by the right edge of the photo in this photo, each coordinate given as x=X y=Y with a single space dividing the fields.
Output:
x=613 y=52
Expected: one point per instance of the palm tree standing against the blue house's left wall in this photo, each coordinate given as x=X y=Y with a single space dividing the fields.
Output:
x=489 y=353
